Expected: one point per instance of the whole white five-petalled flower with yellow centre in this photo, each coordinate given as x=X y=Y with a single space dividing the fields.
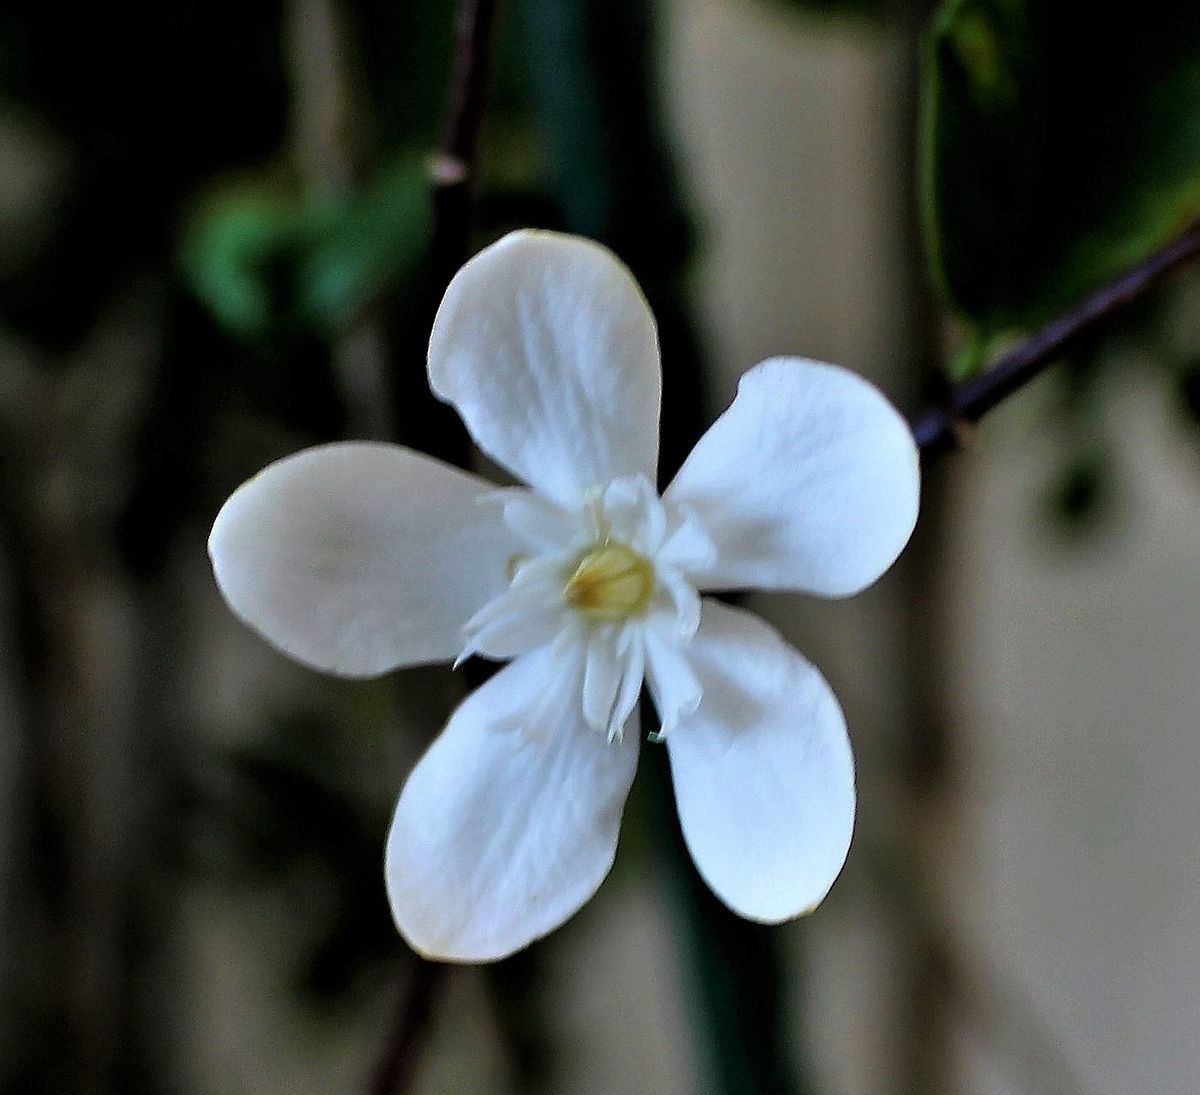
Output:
x=358 y=559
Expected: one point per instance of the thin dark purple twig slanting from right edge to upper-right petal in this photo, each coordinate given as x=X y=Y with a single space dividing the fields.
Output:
x=940 y=429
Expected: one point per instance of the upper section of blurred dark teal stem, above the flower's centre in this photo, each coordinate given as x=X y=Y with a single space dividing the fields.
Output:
x=591 y=67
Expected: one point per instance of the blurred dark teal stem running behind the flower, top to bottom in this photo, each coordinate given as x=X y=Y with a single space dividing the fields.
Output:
x=591 y=67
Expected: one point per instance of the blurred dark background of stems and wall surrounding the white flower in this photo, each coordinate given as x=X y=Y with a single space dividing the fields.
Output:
x=219 y=244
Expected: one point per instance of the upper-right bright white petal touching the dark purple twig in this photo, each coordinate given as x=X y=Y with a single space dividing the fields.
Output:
x=808 y=482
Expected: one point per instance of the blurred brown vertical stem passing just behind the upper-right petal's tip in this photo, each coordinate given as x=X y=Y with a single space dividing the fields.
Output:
x=922 y=1025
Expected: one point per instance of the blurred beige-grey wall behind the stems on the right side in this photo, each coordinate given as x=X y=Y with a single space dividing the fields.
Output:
x=1067 y=877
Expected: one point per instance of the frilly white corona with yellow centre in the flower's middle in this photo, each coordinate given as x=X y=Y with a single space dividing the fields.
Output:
x=605 y=590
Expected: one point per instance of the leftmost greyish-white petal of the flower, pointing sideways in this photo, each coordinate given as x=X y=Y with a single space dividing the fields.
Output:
x=356 y=559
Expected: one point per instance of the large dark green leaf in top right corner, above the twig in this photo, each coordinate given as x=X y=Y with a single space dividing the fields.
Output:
x=1061 y=147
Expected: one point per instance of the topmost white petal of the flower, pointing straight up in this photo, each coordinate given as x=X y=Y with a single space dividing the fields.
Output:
x=547 y=348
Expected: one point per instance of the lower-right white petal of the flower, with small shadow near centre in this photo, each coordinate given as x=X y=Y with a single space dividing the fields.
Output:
x=763 y=771
